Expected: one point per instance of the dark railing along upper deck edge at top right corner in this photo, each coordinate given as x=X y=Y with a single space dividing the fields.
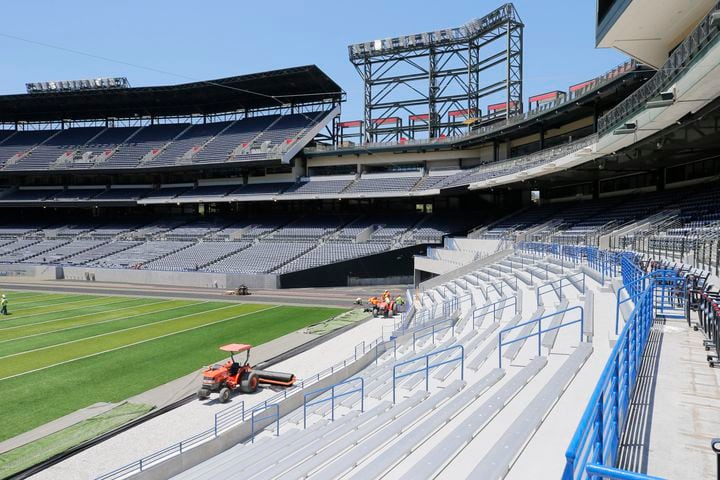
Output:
x=677 y=64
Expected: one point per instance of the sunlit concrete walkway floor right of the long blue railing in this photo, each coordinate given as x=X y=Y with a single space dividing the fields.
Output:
x=676 y=407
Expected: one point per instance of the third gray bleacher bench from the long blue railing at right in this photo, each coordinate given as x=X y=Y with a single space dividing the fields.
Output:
x=431 y=424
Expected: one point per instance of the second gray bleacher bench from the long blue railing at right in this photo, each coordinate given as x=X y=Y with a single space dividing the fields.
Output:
x=442 y=454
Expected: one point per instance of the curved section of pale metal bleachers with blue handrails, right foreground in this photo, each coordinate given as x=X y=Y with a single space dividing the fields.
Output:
x=473 y=424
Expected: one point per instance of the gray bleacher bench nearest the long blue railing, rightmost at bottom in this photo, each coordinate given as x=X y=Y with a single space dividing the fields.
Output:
x=498 y=460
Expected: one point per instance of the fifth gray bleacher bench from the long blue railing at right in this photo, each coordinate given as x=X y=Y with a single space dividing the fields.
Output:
x=314 y=455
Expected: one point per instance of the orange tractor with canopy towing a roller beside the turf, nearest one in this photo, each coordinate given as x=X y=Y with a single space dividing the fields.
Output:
x=226 y=378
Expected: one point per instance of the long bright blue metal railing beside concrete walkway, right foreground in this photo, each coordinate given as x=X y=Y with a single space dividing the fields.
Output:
x=597 y=437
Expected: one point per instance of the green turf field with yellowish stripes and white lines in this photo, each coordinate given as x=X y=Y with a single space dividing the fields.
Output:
x=63 y=352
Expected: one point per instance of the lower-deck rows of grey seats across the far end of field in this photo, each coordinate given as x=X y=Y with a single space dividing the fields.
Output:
x=271 y=244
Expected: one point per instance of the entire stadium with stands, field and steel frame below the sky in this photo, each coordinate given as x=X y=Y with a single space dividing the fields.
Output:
x=466 y=280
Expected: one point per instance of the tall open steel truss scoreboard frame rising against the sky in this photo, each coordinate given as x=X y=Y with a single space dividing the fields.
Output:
x=431 y=84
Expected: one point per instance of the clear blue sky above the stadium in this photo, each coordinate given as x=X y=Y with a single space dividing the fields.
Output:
x=213 y=39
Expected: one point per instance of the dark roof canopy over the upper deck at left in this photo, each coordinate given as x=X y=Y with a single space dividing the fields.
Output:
x=296 y=85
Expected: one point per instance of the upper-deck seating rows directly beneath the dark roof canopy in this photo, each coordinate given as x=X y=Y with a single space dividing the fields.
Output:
x=151 y=146
